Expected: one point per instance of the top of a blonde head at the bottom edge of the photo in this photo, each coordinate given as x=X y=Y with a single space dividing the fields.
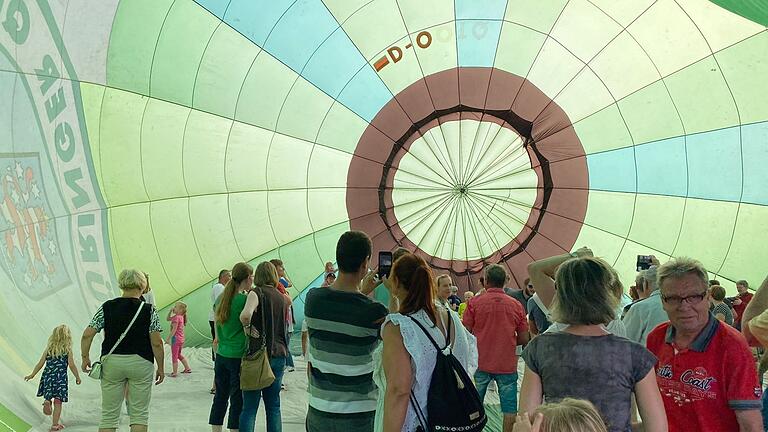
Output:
x=568 y=415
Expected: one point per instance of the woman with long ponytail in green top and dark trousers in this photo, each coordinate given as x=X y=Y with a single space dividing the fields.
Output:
x=230 y=345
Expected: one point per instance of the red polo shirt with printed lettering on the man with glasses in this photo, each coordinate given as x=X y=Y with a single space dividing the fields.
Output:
x=703 y=385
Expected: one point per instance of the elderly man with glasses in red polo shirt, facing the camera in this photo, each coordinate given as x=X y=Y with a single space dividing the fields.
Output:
x=705 y=370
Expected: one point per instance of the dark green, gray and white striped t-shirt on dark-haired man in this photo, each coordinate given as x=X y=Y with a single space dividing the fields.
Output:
x=343 y=334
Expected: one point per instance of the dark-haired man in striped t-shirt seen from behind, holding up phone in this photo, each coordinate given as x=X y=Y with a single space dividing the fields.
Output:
x=343 y=324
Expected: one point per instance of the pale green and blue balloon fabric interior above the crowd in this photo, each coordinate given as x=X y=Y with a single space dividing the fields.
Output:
x=179 y=137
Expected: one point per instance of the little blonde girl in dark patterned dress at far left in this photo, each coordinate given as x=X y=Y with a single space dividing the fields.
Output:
x=53 y=383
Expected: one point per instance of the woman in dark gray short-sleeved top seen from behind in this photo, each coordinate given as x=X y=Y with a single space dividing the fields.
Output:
x=584 y=360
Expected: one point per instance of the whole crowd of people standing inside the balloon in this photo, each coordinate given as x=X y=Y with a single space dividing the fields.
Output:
x=677 y=358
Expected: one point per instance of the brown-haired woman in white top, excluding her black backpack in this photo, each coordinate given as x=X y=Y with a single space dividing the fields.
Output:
x=405 y=361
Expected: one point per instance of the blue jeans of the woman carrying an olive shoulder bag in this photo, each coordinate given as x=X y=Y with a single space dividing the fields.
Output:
x=271 y=395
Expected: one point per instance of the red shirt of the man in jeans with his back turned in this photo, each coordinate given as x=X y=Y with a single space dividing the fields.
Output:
x=496 y=319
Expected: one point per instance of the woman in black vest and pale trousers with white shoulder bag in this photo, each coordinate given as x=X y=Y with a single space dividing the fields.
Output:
x=132 y=359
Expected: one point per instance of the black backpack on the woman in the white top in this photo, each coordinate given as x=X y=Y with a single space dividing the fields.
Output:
x=453 y=403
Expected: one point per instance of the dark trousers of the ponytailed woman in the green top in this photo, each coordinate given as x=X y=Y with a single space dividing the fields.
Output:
x=227 y=379
